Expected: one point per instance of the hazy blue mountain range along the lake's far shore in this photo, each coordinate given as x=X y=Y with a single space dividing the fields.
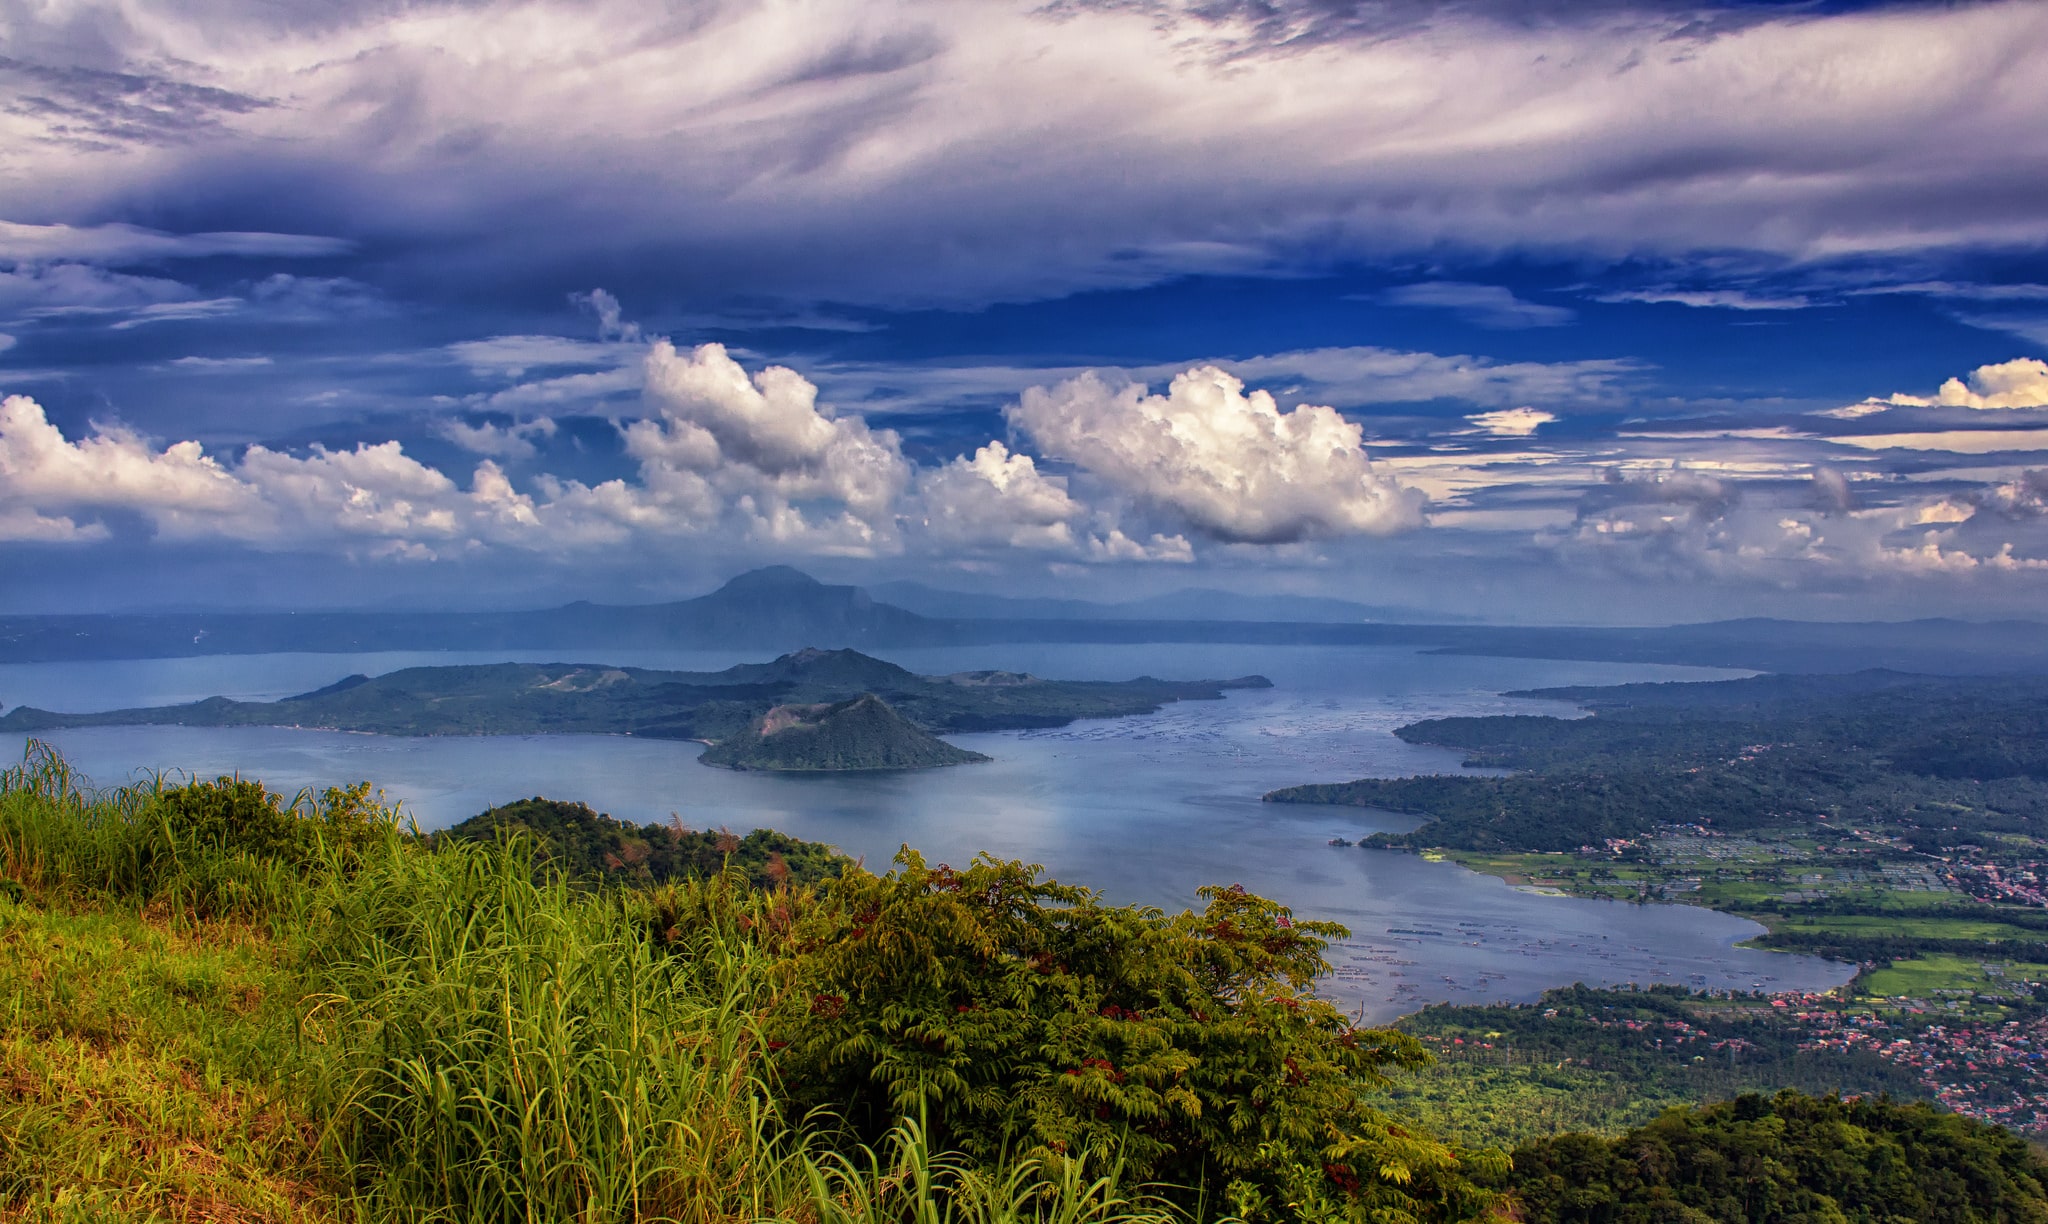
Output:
x=781 y=609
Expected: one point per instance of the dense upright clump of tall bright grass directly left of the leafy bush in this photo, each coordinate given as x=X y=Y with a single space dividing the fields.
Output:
x=505 y=1049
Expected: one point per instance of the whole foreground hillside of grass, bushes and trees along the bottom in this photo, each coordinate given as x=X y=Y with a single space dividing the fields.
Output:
x=237 y=1006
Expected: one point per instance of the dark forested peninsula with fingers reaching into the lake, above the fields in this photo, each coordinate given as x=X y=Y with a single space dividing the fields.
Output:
x=1938 y=758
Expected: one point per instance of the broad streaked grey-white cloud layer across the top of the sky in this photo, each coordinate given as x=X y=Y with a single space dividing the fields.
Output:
x=968 y=155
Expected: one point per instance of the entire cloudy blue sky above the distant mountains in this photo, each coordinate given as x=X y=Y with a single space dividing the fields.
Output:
x=1527 y=310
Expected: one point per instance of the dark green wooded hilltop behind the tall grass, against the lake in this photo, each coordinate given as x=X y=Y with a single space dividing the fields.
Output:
x=589 y=846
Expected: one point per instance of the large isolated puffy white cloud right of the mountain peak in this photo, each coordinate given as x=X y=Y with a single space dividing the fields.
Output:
x=1232 y=466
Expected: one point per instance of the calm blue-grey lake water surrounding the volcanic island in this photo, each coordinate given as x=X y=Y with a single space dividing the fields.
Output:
x=1142 y=810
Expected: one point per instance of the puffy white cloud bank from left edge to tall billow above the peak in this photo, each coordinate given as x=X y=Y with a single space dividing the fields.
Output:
x=722 y=455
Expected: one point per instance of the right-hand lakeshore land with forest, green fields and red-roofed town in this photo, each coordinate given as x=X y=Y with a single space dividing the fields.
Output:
x=1885 y=820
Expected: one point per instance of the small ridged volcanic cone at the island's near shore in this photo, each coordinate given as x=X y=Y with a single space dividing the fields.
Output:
x=859 y=734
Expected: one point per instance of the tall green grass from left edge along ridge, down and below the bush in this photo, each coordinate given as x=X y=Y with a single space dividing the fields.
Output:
x=480 y=1045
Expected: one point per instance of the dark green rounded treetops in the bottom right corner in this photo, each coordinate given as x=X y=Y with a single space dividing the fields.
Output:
x=1787 y=1157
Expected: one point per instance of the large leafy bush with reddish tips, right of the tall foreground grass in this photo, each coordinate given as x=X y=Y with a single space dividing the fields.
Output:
x=1021 y=1014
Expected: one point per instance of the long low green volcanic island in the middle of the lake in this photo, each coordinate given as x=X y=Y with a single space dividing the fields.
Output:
x=800 y=713
